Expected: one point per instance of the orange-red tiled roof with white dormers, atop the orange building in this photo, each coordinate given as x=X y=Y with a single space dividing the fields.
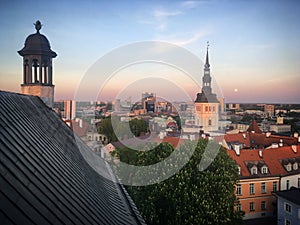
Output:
x=271 y=157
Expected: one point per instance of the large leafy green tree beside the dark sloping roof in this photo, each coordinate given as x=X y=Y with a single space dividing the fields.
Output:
x=190 y=196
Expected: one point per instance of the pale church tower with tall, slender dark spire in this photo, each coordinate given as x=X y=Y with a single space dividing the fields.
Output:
x=206 y=103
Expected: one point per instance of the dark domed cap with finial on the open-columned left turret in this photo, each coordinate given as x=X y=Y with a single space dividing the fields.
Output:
x=37 y=44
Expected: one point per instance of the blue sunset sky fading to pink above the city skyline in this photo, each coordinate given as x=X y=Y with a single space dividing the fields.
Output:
x=254 y=46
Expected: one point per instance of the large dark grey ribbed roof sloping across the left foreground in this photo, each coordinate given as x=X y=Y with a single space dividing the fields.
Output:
x=44 y=177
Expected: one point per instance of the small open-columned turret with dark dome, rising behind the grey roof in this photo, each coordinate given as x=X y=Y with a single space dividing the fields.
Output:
x=37 y=67
